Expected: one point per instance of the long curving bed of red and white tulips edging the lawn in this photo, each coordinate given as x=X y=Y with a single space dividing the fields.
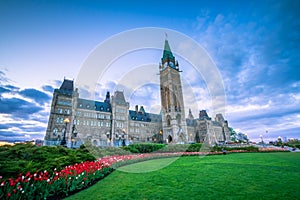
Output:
x=73 y=178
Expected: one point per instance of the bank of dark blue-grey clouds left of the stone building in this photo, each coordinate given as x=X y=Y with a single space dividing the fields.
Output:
x=23 y=112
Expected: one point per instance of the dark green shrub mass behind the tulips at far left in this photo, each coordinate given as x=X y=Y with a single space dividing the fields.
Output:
x=22 y=158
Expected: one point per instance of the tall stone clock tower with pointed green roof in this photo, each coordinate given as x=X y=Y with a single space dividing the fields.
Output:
x=172 y=105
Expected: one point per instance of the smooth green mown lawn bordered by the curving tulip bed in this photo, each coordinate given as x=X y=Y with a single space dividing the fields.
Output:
x=232 y=176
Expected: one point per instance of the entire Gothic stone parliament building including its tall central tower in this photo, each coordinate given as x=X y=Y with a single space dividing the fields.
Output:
x=111 y=123
